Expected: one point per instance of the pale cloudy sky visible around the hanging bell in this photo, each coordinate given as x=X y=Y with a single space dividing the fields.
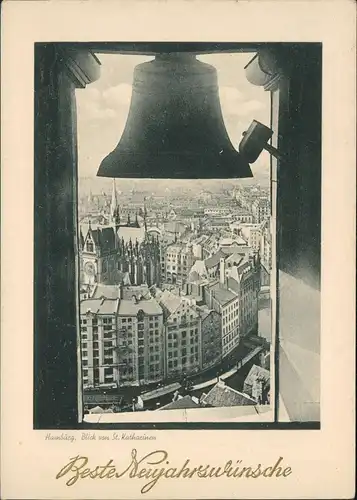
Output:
x=102 y=107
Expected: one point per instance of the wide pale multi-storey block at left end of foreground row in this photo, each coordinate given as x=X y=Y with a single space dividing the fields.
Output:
x=122 y=342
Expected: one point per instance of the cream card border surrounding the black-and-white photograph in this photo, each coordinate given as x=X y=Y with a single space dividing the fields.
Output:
x=321 y=461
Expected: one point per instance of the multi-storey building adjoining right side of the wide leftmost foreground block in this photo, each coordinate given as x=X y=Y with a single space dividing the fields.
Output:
x=182 y=334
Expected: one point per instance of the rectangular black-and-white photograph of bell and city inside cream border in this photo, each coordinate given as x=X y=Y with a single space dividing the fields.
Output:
x=165 y=163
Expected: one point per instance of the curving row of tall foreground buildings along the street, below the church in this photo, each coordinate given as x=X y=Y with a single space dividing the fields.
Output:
x=136 y=335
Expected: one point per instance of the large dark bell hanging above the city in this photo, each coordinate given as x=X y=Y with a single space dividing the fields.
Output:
x=175 y=126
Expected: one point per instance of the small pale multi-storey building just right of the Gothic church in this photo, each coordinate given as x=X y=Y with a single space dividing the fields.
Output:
x=177 y=262
